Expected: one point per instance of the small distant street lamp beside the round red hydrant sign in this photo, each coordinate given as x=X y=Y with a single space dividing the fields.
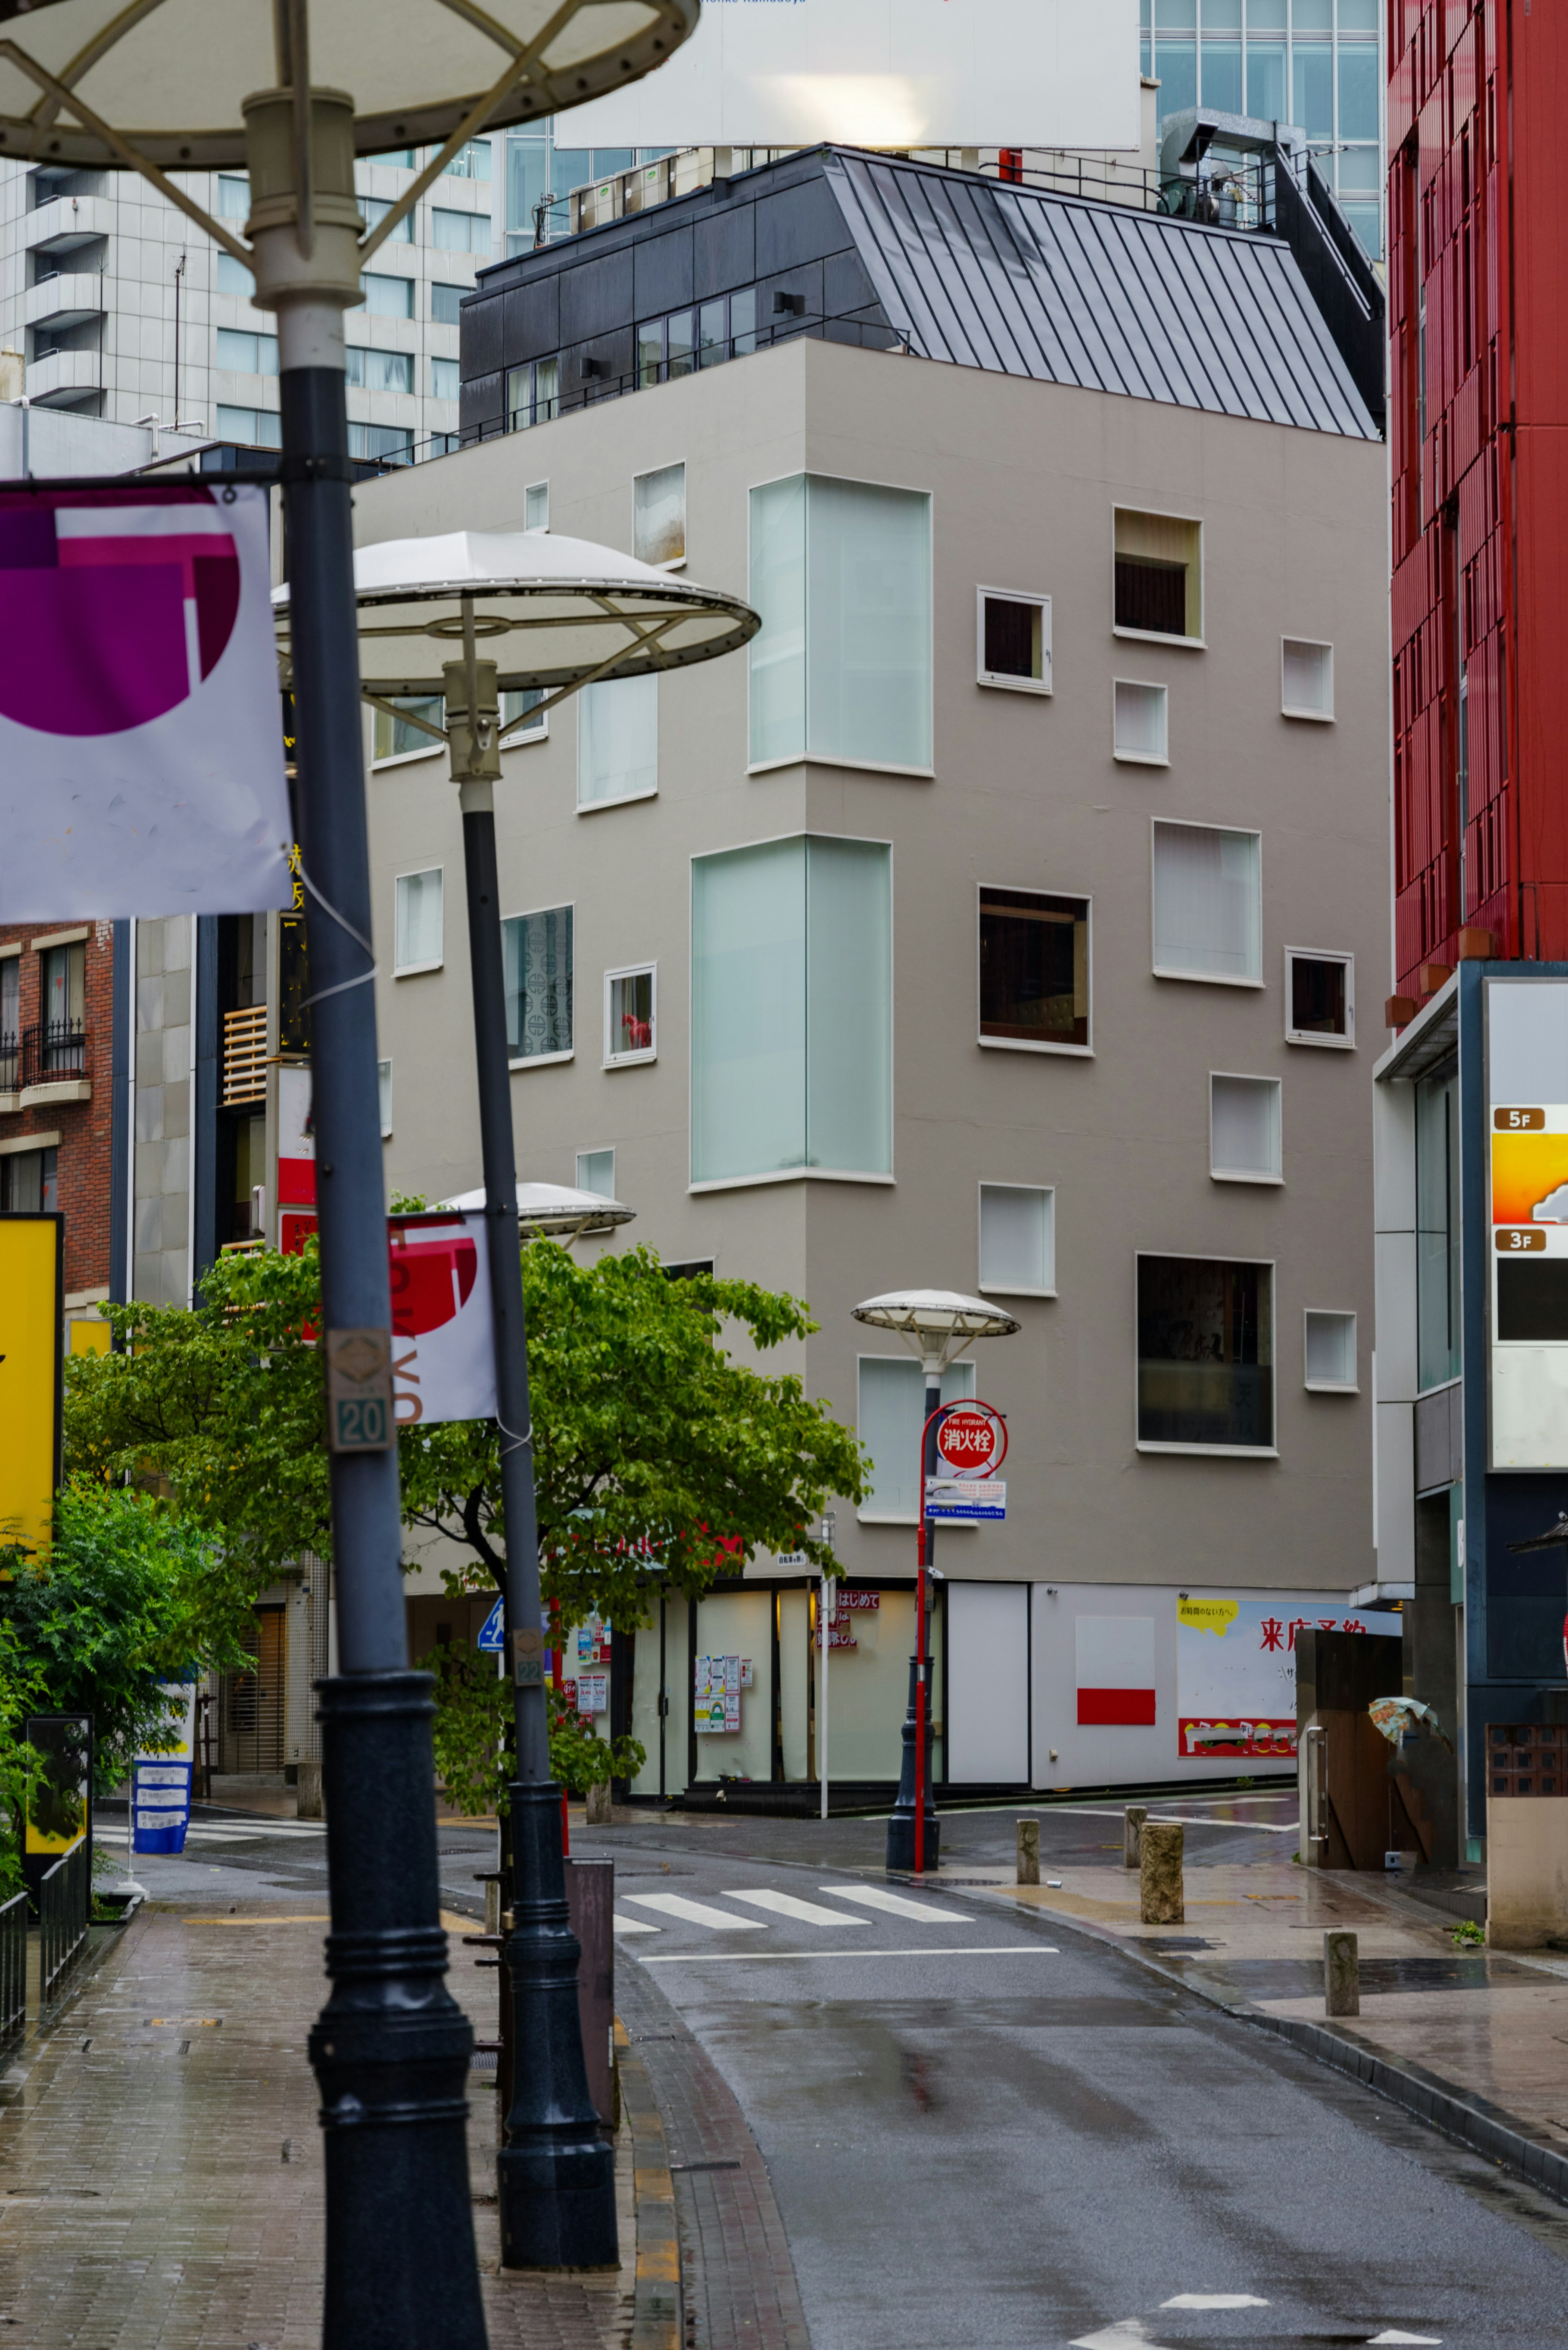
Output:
x=937 y=1327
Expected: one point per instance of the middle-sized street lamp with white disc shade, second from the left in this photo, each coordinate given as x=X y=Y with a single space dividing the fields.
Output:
x=551 y=615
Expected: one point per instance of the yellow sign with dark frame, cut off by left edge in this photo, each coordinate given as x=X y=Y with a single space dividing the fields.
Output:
x=29 y=1376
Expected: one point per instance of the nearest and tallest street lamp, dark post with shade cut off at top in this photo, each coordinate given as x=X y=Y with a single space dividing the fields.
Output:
x=269 y=90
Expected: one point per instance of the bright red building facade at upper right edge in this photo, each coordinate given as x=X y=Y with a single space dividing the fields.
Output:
x=1480 y=476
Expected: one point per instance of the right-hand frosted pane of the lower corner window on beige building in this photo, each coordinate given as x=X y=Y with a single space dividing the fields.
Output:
x=850 y=1007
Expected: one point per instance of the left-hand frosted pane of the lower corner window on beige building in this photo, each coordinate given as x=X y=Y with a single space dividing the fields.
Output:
x=749 y=1012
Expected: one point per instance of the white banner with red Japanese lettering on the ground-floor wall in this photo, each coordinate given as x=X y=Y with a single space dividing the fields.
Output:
x=1235 y=1667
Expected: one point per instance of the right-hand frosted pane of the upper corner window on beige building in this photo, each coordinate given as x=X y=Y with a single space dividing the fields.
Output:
x=869 y=624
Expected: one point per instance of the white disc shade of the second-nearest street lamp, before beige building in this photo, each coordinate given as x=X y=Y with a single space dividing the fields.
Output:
x=549 y=612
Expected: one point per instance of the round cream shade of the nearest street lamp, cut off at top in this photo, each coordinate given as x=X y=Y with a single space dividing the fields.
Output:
x=173 y=76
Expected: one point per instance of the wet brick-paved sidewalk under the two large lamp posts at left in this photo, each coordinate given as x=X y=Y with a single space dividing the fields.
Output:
x=161 y=2161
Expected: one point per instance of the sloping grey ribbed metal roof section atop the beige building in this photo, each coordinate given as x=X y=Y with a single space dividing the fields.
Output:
x=1106 y=297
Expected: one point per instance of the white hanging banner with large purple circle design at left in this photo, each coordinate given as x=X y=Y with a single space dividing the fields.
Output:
x=140 y=734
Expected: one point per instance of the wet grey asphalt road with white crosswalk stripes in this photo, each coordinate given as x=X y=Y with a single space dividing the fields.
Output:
x=989 y=2130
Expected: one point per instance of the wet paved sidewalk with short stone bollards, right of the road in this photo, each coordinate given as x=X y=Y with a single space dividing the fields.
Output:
x=1482 y=2027
